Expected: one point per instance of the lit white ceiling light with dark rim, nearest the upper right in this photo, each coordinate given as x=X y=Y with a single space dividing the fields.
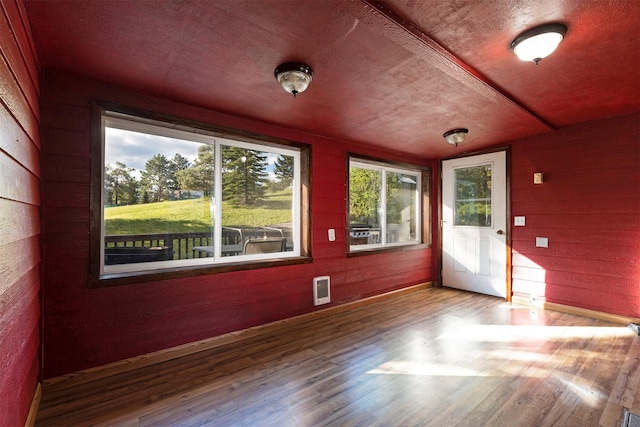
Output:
x=538 y=42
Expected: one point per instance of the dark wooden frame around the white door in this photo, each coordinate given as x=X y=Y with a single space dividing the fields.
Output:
x=507 y=151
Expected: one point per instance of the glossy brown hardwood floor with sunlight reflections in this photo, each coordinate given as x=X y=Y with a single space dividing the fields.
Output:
x=435 y=357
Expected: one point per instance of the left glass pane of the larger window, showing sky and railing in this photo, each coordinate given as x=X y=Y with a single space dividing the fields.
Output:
x=157 y=197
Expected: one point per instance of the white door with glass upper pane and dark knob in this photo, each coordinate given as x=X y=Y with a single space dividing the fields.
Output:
x=474 y=214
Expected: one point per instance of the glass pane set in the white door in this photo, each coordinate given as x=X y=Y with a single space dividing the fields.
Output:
x=473 y=196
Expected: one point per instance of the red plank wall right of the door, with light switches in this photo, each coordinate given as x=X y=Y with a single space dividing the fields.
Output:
x=588 y=207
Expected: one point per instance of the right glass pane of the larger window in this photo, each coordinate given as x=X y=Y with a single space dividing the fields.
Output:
x=257 y=212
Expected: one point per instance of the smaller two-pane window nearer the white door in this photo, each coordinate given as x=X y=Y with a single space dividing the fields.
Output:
x=385 y=205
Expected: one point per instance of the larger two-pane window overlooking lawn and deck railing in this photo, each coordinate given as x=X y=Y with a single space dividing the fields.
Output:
x=177 y=198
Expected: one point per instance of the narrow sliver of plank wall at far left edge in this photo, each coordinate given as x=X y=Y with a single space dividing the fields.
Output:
x=19 y=216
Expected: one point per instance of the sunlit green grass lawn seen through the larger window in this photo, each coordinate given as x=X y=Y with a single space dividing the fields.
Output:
x=194 y=215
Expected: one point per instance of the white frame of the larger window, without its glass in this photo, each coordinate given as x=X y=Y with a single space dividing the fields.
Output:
x=152 y=127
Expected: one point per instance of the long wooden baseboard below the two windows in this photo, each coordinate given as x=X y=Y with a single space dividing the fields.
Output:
x=160 y=356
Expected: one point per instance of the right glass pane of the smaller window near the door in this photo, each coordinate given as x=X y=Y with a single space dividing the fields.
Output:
x=401 y=207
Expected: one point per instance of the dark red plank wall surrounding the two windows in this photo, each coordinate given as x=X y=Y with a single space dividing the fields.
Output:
x=88 y=327
